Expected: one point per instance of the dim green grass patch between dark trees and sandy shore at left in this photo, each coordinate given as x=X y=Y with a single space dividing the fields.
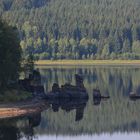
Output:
x=14 y=95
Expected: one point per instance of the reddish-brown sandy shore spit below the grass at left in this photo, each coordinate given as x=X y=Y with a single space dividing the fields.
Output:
x=19 y=109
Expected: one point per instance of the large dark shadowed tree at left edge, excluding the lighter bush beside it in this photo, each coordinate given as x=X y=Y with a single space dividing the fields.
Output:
x=10 y=54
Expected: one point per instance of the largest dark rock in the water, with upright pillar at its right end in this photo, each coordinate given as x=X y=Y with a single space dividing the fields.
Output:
x=69 y=91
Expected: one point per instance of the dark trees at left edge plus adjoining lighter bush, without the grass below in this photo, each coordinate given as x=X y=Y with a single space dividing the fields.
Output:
x=12 y=62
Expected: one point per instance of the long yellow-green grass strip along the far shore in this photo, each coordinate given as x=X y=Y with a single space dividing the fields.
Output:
x=88 y=62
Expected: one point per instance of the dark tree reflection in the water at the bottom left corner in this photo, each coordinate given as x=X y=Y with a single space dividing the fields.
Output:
x=15 y=129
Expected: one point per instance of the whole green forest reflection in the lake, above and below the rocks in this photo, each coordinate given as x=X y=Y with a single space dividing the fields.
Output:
x=117 y=114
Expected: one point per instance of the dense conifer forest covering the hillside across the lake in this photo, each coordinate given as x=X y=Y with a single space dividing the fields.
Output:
x=76 y=29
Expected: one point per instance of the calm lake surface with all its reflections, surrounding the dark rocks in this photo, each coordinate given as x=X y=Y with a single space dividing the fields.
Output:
x=113 y=119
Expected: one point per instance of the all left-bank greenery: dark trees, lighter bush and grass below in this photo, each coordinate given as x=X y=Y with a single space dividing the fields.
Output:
x=12 y=65
